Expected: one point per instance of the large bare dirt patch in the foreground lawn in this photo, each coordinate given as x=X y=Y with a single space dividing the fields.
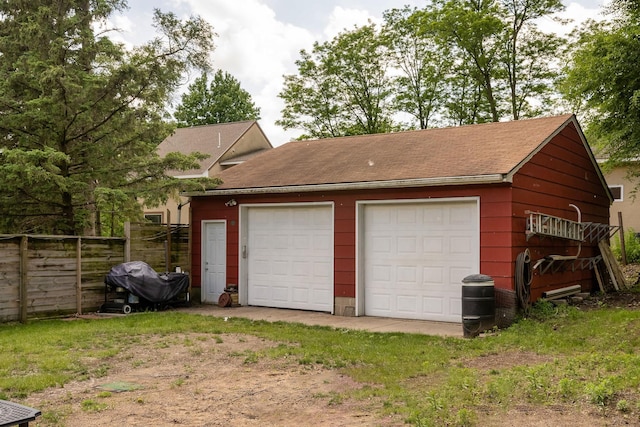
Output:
x=202 y=380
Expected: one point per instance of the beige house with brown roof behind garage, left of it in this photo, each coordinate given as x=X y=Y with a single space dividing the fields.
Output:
x=227 y=144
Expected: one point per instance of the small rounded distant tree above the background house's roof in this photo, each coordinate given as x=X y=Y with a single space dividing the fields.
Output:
x=223 y=101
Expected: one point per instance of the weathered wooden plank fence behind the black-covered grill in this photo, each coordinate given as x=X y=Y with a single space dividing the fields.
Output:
x=45 y=276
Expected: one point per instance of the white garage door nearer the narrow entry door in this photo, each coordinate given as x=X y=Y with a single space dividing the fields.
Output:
x=290 y=257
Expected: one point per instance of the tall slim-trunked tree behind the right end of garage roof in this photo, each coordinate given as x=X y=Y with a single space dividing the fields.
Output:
x=497 y=42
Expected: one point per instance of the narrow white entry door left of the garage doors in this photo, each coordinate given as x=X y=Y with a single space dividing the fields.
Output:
x=214 y=261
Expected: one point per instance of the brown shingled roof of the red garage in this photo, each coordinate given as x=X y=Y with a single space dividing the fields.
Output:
x=490 y=152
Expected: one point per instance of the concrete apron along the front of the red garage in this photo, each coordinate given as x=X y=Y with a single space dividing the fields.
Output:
x=312 y=318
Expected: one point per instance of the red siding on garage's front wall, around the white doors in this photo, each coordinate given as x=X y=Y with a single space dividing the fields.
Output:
x=494 y=209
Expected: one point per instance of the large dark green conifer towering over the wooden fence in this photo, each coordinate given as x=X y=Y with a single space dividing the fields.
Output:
x=81 y=116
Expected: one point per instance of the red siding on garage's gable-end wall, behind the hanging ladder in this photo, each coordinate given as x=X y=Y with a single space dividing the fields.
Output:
x=559 y=175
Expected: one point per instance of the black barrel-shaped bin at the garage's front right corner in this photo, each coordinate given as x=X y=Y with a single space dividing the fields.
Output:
x=478 y=305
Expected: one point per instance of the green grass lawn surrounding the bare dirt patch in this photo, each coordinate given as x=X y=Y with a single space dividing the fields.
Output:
x=557 y=356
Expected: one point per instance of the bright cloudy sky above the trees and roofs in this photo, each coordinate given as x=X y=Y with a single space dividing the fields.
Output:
x=259 y=40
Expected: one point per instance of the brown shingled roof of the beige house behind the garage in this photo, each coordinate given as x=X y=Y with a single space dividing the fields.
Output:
x=214 y=140
